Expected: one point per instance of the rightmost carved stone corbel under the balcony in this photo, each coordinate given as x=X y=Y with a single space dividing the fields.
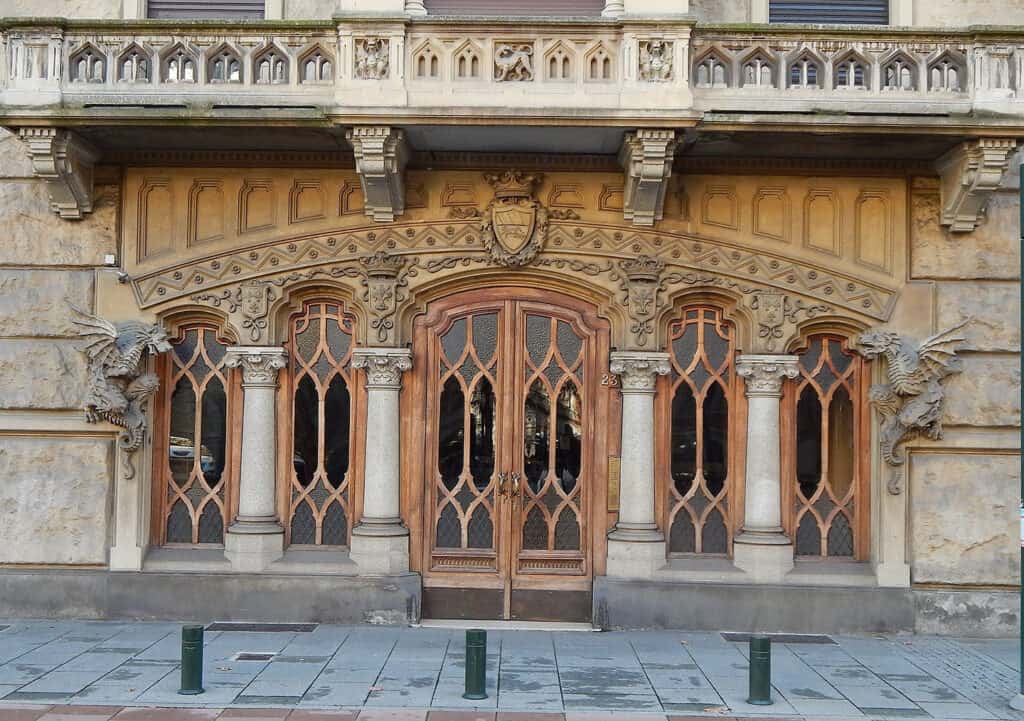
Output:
x=971 y=173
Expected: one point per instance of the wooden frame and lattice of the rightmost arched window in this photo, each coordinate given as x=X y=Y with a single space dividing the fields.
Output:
x=858 y=380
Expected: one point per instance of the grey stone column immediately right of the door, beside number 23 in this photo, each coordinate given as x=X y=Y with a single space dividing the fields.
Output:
x=636 y=545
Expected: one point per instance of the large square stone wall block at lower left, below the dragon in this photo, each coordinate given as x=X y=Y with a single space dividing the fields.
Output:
x=55 y=500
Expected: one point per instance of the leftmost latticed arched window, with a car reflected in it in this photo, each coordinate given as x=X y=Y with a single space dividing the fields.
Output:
x=194 y=441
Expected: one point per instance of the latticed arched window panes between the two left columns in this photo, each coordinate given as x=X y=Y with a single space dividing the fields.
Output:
x=321 y=383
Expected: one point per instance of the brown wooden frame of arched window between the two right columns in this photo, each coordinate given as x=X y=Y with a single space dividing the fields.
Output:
x=668 y=503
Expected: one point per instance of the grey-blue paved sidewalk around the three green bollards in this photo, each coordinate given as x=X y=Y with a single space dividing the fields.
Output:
x=114 y=665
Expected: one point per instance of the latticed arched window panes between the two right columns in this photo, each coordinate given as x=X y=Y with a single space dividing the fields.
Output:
x=700 y=446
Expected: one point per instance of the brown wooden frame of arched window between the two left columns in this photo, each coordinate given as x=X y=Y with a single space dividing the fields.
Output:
x=350 y=492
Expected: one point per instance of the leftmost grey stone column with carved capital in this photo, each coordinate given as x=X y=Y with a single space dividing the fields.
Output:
x=257 y=539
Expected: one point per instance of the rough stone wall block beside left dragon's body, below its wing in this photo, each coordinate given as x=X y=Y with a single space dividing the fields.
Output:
x=42 y=374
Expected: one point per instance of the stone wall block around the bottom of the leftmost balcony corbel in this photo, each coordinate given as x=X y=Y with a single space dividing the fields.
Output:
x=34 y=235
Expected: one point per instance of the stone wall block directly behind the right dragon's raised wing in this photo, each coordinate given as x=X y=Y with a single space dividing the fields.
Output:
x=994 y=308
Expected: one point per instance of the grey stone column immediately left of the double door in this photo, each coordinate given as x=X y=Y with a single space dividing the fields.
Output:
x=380 y=542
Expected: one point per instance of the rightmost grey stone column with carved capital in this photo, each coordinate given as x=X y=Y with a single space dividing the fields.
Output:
x=762 y=549
